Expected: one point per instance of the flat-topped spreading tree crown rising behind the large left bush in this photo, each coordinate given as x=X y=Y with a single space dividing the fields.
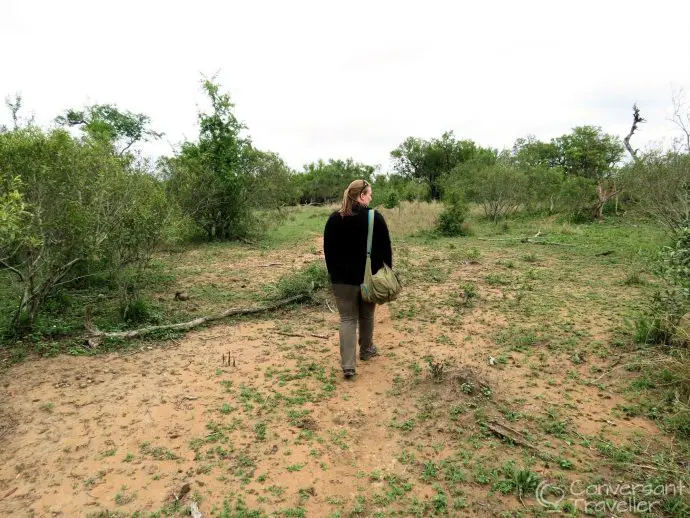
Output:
x=106 y=123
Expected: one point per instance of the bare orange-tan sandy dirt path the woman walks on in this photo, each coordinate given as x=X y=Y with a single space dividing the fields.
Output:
x=130 y=432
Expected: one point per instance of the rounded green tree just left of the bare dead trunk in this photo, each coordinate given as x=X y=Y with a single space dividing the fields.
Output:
x=590 y=153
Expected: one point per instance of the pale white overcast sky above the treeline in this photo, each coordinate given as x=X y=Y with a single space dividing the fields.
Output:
x=337 y=79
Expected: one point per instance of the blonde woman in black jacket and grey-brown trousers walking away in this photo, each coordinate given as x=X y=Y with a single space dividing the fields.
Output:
x=345 y=248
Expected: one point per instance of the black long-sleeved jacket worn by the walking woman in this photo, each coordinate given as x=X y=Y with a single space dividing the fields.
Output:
x=345 y=246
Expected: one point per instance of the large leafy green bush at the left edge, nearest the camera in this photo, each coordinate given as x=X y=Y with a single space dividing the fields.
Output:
x=70 y=208
